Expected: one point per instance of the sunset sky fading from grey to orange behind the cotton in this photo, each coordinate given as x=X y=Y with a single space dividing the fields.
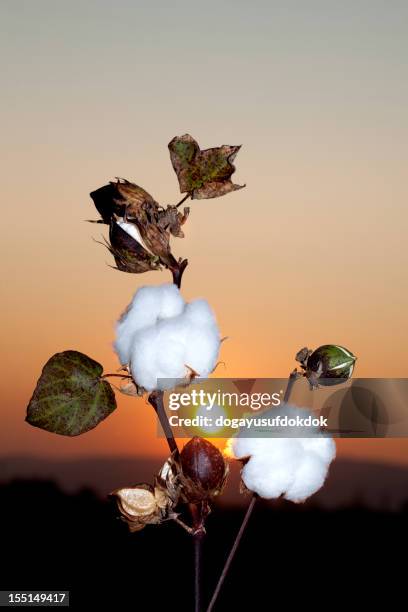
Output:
x=312 y=251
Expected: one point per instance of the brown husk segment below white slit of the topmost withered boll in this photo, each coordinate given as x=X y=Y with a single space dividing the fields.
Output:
x=129 y=254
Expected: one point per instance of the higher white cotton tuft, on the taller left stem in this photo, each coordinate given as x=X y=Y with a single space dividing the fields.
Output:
x=161 y=337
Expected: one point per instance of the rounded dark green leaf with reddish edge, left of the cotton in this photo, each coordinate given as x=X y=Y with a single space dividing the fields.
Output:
x=70 y=397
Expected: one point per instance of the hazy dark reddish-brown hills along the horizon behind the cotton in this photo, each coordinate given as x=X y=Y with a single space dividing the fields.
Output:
x=378 y=486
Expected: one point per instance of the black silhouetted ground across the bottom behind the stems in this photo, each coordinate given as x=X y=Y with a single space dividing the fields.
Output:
x=290 y=556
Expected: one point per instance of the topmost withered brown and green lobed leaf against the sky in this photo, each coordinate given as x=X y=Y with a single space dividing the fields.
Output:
x=203 y=174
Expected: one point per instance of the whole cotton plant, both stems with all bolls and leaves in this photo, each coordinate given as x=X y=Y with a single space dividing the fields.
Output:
x=163 y=342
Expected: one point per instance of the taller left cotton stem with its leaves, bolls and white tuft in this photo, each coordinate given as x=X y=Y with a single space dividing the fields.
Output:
x=161 y=342
